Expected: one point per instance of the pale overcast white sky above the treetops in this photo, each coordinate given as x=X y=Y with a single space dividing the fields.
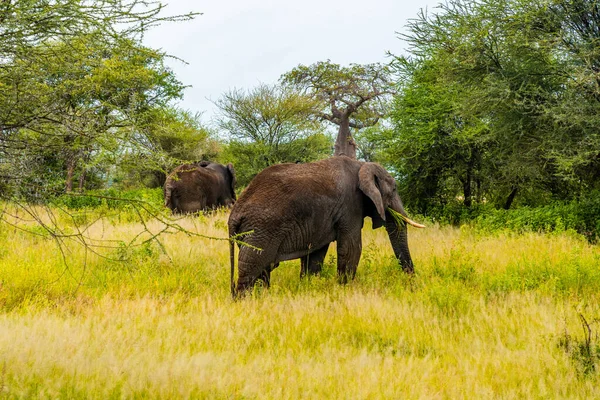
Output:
x=241 y=43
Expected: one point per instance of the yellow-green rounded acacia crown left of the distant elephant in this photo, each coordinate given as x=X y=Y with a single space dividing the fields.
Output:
x=99 y=95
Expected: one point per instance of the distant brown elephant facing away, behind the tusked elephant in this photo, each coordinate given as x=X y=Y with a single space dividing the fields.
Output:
x=200 y=186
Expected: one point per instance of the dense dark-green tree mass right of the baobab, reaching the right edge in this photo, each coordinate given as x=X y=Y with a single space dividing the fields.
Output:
x=497 y=105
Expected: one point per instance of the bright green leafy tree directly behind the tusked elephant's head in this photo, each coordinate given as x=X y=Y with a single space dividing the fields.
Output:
x=436 y=152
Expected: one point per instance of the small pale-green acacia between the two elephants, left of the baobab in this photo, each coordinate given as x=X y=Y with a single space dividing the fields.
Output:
x=267 y=125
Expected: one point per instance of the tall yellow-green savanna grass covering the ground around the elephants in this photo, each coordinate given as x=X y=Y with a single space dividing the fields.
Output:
x=485 y=316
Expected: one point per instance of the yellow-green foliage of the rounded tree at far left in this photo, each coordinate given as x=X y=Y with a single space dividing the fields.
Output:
x=105 y=88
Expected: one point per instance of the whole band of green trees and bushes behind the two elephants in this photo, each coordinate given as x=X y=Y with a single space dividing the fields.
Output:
x=494 y=109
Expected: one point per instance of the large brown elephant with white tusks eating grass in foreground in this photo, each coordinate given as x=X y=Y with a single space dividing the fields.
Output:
x=296 y=210
